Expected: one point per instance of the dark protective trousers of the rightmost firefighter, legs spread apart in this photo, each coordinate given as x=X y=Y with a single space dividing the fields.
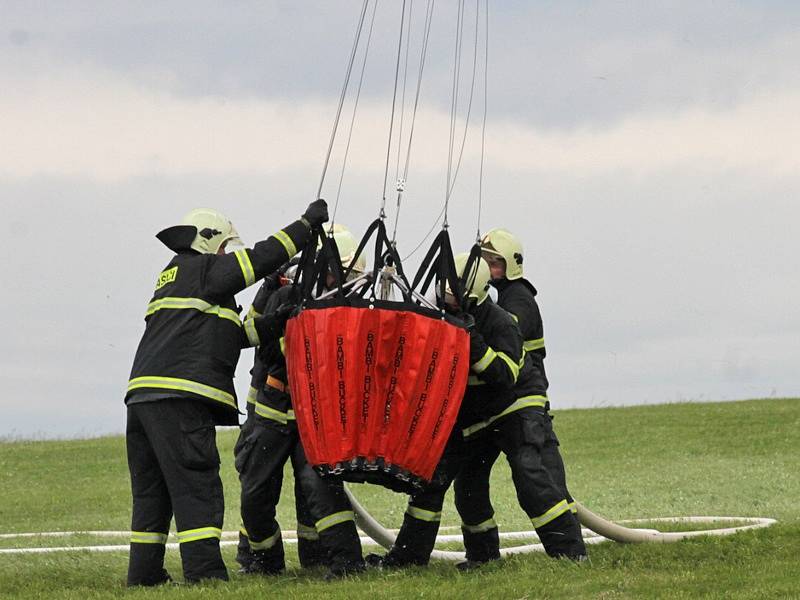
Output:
x=526 y=438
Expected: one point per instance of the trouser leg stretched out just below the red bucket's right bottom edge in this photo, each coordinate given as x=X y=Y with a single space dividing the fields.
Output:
x=422 y=518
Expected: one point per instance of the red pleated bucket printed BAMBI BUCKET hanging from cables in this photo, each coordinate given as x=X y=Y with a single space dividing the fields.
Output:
x=375 y=390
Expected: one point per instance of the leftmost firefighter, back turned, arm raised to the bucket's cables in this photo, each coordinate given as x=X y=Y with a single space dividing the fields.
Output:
x=181 y=386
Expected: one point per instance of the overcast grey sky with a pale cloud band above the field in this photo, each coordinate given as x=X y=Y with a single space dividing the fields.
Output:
x=648 y=157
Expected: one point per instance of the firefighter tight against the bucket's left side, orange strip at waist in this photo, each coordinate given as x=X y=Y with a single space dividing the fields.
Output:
x=271 y=441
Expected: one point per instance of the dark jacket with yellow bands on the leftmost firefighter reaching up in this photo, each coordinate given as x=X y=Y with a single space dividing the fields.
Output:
x=193 y=334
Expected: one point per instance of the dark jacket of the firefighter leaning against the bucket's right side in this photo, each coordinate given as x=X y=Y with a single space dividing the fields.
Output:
x=495 y=356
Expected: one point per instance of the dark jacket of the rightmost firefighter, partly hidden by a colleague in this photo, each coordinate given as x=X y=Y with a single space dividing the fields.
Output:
x=518 y=297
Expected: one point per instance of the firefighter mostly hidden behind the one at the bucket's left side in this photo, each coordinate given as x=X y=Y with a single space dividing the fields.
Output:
x=309 y=550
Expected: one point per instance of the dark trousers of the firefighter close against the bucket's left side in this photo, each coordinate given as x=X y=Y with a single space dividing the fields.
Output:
x=260 y=463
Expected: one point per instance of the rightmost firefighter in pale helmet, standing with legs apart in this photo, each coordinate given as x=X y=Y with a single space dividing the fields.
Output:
x=524 y=425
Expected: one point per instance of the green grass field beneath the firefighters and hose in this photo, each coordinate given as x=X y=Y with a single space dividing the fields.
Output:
x=721 y=459
